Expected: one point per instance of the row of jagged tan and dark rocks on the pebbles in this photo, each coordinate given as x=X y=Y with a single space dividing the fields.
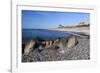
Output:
x=59 y=43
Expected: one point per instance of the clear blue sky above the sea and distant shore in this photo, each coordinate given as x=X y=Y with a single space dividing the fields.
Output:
x=48 y=20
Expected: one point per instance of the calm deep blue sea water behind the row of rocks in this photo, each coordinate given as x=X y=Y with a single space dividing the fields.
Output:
x=42 y=34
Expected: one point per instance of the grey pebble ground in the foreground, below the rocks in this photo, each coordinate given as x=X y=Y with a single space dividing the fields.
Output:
x=80 y=52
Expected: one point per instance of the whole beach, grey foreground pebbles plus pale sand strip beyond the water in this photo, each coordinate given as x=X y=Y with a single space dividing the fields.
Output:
x=81 y=51
